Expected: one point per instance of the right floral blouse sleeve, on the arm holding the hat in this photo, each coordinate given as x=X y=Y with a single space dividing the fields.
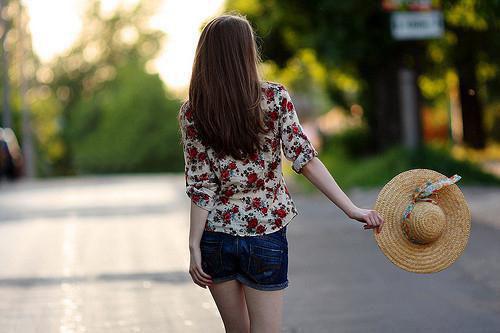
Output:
x=296 y=146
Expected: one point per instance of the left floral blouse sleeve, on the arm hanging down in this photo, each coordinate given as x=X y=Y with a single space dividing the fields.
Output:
x=202 y=184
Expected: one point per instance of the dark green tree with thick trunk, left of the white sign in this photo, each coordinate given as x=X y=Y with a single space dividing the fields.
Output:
x=352 y=39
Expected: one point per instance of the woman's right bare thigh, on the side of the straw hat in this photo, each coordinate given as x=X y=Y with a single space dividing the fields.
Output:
x=265 y=309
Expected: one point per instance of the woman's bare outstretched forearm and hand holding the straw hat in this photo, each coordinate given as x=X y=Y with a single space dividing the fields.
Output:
x=316 y=172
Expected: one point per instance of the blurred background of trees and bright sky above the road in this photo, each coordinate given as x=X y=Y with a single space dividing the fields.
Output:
x=93 y=87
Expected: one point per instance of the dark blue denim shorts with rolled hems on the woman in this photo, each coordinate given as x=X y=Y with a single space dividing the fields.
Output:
x=260 y=262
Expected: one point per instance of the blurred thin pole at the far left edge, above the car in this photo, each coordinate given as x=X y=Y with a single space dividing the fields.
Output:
x=4 y=28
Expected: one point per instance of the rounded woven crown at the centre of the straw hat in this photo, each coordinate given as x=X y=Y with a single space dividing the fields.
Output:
x=426 y=222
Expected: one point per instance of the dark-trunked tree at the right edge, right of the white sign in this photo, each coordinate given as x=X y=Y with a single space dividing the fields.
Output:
x=474 y=26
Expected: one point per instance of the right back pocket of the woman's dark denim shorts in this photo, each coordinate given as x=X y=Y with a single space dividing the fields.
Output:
x=267 y=264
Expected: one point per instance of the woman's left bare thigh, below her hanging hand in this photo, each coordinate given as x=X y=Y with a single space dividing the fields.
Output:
x=230 y=300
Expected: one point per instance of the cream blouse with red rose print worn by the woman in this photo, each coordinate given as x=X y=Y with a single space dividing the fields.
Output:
x=247 y=197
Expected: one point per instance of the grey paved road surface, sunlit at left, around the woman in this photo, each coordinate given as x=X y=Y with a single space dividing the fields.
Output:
x=110 y=255
